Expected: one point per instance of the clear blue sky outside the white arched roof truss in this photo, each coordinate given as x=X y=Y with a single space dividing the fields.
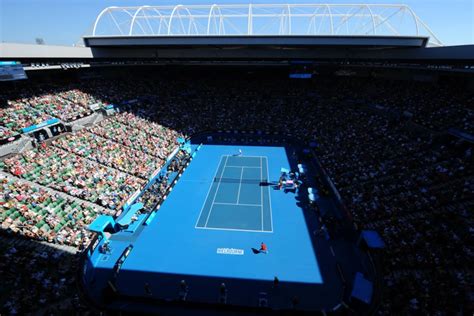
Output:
x=63 y=22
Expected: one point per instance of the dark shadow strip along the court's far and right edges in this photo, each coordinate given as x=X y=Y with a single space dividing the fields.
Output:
x=338 y=257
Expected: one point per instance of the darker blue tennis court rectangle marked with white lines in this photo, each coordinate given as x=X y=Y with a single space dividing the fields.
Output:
x=239 y=196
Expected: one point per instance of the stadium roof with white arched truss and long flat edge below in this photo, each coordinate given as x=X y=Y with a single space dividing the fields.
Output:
x=259 y=33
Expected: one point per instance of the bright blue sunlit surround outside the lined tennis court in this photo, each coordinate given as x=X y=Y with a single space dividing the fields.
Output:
x=172 y=243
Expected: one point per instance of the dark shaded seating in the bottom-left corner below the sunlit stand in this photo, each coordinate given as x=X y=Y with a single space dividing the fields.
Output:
x=36 y=278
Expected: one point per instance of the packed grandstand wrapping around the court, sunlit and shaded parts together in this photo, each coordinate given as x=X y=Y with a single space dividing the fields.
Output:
x=400 y=175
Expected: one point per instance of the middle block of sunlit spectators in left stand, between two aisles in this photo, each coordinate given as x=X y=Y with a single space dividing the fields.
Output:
x=69 y=173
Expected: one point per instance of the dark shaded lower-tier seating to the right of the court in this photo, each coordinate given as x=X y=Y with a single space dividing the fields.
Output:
x=416 y=192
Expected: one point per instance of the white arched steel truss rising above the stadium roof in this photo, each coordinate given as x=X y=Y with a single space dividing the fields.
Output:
x=263 y=19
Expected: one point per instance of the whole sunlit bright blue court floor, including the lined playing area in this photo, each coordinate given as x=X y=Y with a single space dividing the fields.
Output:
x=190 y=232
